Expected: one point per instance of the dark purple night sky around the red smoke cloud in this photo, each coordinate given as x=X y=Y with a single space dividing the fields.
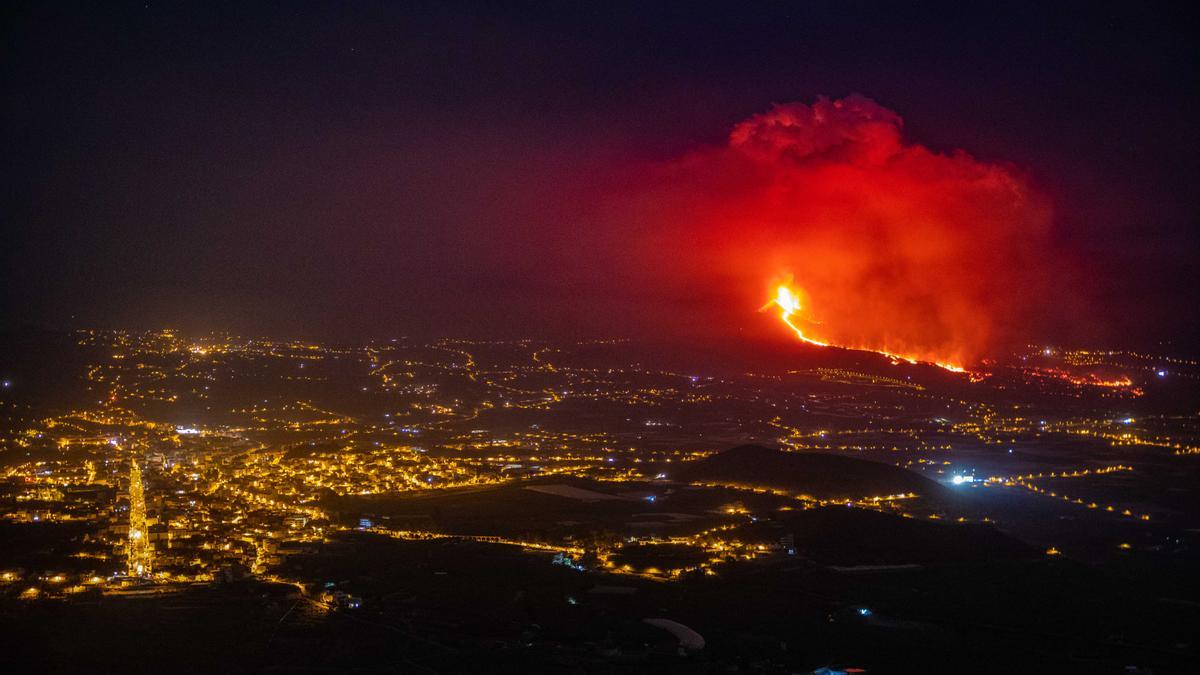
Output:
x=365 y=170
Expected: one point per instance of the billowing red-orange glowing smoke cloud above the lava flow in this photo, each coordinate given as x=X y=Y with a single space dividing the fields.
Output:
x=896 y=247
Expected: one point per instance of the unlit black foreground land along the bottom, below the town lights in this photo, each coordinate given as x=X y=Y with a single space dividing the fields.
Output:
x=455 y=607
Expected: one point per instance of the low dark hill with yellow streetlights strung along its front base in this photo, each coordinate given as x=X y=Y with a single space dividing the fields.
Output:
x=823 y=476
